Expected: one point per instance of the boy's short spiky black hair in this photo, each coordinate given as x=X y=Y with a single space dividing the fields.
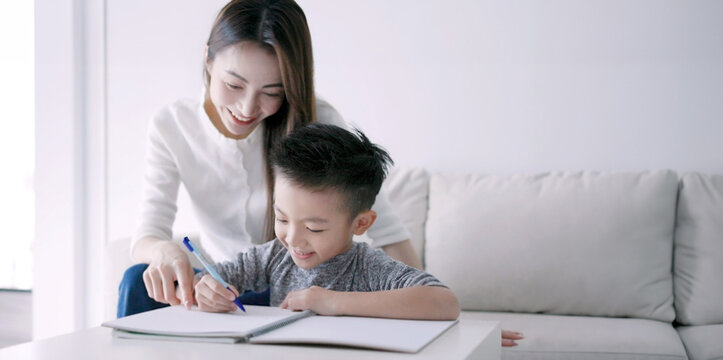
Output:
x=321 y=157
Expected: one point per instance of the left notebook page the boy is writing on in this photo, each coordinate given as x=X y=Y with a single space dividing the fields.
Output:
x=176 y=320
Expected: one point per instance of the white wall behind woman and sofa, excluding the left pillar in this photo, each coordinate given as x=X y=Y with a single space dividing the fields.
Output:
x=483 y=86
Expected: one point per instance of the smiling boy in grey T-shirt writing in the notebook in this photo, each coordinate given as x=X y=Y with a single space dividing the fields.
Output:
x=326 y=180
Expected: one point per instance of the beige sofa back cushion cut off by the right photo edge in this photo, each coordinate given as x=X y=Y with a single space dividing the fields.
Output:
x=698 y=270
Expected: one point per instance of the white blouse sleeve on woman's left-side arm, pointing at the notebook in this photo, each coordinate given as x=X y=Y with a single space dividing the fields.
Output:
x=161 y=182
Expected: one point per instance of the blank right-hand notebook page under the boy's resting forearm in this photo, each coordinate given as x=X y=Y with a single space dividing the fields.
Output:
x=375 y=333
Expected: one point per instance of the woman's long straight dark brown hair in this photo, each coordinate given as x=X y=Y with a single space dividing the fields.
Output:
x=281 y=27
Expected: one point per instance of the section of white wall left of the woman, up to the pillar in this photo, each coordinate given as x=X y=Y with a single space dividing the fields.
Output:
x=155 y=53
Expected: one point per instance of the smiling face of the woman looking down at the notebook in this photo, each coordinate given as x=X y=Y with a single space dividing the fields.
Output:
x=244 y=88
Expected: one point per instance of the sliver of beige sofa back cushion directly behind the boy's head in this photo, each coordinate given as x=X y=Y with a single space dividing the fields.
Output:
x=407 y=190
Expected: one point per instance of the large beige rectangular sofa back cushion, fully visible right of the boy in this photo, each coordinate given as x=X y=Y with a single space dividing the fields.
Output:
x=562 y=243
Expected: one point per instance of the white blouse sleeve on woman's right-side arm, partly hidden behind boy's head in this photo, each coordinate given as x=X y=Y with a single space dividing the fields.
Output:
x=388 y=228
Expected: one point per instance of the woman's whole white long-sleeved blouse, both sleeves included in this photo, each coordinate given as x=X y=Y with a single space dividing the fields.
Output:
x=225 y=179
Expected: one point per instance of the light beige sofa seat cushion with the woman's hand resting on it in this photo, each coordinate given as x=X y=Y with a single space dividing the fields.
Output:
x=577 y=337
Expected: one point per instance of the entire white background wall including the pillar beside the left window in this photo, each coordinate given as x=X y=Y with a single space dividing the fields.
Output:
x=519 y=86
